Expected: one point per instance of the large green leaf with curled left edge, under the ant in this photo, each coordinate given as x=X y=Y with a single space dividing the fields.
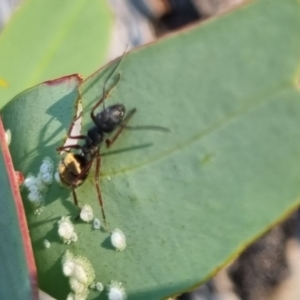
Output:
x=187 y=201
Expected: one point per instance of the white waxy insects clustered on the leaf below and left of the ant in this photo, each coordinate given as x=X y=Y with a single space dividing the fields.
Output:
x=78 y=268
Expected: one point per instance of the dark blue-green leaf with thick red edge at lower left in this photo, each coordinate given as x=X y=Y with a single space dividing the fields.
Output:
x=18 y=271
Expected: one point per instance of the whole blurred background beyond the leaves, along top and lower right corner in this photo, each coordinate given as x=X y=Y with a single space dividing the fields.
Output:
x=269 y=269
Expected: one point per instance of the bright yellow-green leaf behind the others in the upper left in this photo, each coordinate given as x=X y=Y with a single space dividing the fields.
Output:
x=48 y=39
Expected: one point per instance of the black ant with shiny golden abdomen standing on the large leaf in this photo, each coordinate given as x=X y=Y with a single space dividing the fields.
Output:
x=74 y=168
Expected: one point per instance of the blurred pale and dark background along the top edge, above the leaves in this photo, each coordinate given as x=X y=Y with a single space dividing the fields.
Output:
x=138 y=22
